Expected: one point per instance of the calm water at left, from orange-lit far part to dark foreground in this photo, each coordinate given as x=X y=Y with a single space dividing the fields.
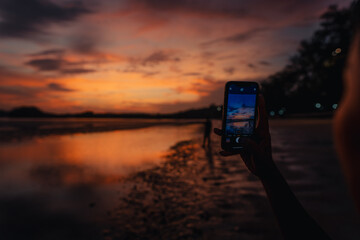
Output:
x=60 y=187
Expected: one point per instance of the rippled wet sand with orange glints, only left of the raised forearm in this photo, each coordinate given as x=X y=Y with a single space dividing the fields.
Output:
x=194 y=195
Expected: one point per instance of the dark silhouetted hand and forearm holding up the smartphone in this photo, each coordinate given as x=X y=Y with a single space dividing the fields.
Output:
x=294 y=221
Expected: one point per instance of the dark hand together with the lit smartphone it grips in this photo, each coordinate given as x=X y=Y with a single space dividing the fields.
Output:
x=254 y=144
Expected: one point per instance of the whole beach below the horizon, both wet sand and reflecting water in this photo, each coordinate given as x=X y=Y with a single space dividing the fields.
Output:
x=158 y=182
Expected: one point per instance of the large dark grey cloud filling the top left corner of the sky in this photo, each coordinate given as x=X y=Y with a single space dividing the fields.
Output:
x=26 y=18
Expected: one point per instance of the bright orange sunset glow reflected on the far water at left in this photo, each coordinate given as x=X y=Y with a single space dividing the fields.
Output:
x=117 y=152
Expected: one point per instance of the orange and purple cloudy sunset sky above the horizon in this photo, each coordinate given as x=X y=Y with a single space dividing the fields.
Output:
x=153 y=56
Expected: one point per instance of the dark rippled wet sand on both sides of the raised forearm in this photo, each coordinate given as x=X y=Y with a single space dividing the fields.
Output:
x=197 y=194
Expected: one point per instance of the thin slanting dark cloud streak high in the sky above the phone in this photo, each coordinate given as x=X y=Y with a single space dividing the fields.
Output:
x=237 y=38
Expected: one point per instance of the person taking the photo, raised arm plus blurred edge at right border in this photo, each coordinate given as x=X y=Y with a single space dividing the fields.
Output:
x=294 y=221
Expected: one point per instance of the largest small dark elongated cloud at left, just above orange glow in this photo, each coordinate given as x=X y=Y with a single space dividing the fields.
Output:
x=57 y=65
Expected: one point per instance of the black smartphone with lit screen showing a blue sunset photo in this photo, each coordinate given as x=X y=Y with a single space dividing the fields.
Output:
x=239 y=113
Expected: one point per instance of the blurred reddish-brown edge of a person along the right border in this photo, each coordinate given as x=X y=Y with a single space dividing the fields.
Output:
x=347 y=118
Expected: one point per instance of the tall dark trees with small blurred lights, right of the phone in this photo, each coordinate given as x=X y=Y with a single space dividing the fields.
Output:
x=312 y=80
